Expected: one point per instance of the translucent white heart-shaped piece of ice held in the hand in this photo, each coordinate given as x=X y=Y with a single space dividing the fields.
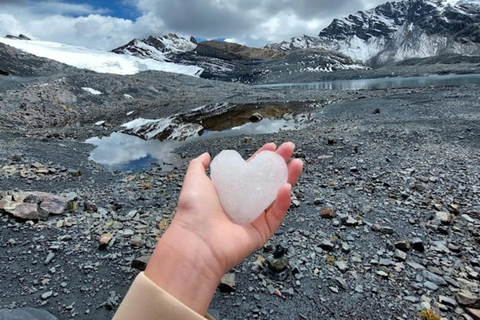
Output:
x=246 y=189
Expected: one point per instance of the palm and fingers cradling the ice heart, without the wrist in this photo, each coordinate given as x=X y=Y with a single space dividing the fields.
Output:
x=201 y=215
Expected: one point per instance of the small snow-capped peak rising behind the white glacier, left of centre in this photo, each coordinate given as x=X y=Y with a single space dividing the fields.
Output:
x=158 y=48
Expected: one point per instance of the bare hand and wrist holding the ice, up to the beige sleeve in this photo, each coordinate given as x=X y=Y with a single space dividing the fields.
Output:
x=202 y=243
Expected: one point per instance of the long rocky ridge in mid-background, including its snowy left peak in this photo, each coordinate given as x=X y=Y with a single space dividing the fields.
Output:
x=234 y=62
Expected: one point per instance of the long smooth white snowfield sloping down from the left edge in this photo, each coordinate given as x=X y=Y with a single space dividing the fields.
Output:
x=96 y=60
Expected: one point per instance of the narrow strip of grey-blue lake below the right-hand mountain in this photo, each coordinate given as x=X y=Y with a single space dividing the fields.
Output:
x=384 y=83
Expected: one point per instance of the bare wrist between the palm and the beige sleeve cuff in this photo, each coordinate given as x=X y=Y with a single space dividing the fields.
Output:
x=180 y=265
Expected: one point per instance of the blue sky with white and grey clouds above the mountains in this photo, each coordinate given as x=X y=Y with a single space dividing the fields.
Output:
x=106 y=24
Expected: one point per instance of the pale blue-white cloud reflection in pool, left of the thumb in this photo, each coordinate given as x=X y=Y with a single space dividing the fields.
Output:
x=124 y=152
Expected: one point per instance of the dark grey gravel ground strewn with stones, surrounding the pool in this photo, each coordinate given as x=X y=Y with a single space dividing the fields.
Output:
x=385 y=220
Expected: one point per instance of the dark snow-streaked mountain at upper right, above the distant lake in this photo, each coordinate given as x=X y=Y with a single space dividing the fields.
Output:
x=396 y=31
